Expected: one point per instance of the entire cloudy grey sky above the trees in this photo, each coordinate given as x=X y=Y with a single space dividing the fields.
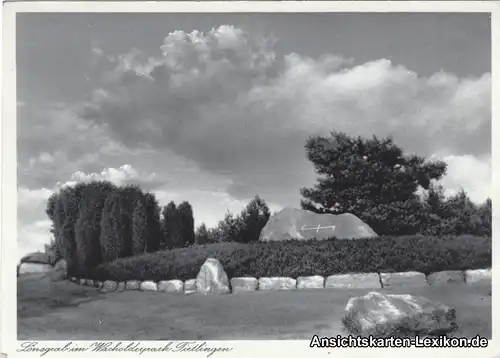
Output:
x=216 y=108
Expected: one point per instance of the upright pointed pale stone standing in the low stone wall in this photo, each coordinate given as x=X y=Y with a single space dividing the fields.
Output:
x=212 y=278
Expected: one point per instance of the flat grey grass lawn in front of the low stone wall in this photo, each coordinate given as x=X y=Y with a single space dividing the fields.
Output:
x=65 y=311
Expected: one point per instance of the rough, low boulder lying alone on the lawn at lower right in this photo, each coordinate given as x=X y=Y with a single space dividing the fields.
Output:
x=383 y=315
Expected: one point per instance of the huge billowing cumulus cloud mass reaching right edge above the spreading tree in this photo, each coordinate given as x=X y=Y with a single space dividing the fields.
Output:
x=226 y=101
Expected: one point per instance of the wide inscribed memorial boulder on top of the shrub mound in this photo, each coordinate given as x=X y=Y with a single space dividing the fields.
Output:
x=300 y=224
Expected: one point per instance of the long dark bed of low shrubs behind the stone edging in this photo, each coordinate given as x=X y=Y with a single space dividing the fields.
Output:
x=304 y=258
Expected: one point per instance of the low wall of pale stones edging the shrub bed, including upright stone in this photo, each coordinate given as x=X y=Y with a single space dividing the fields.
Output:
x=213 y=279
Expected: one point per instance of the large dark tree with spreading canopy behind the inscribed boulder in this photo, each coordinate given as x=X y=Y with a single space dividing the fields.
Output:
x=370 y=178
